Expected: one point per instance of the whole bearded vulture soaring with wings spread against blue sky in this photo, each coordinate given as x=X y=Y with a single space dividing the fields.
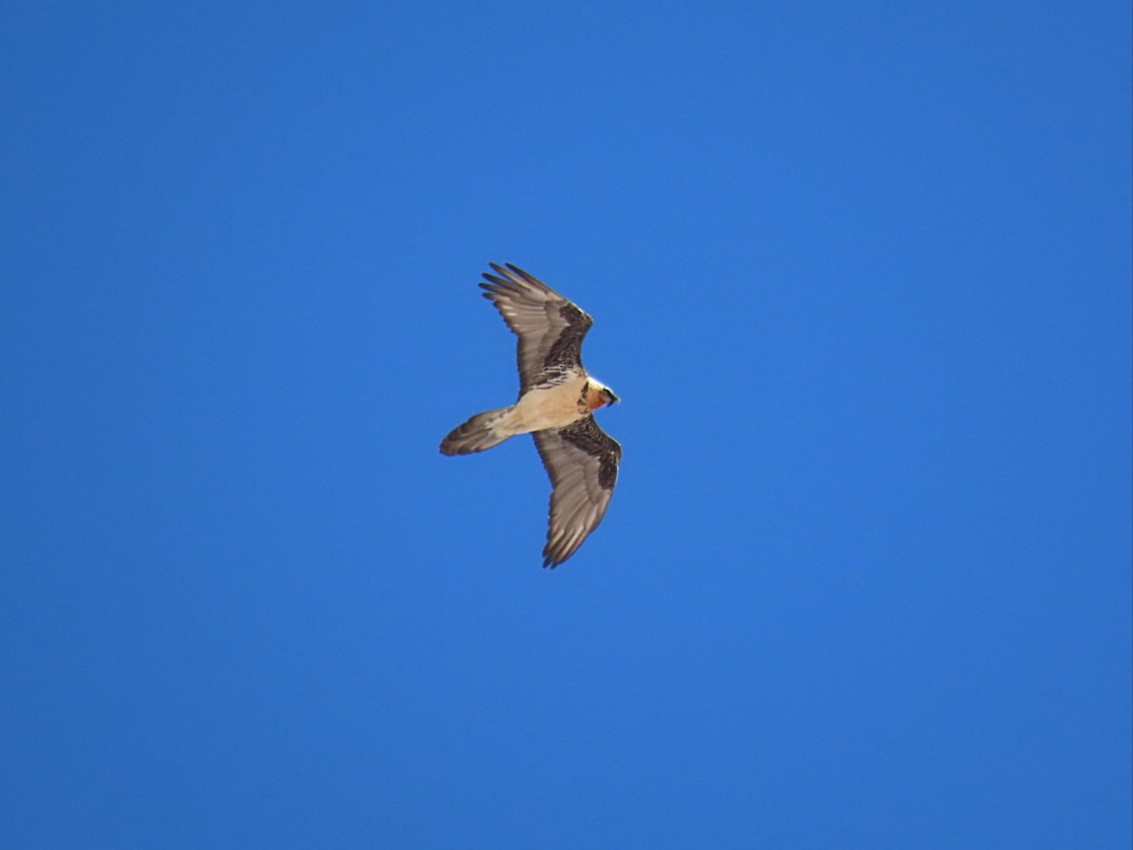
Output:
x=557 y=404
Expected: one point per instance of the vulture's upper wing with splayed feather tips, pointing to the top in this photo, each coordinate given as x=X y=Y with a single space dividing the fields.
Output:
x=550 y=328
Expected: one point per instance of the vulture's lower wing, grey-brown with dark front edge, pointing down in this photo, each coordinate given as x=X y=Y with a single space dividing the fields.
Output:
x=582 y=461
